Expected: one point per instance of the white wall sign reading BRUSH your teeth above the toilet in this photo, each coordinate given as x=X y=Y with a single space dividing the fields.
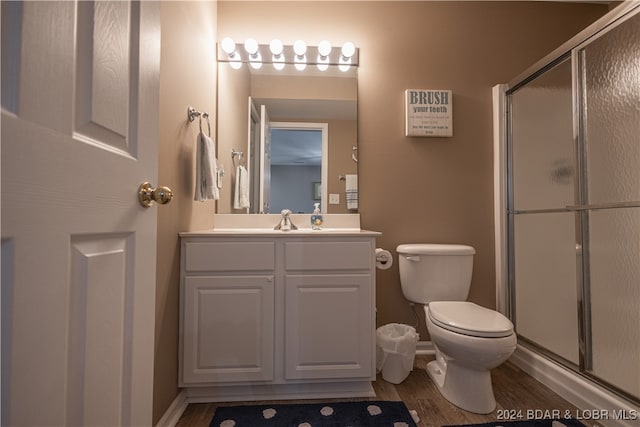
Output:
x=428 y=112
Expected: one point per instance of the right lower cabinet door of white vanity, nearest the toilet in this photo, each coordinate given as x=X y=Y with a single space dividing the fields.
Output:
x=329 y=326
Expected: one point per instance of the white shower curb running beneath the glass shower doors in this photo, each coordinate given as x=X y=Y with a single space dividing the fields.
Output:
x=593 y=400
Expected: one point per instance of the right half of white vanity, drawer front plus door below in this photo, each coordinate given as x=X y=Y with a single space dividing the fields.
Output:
x=328 y=309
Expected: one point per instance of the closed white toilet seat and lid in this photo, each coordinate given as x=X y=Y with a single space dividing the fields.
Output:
x=470 y=319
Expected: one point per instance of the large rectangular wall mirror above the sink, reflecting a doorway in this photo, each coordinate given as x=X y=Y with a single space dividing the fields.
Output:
x=297 y=132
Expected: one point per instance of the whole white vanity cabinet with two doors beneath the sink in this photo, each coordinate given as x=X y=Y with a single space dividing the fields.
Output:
x=277 y=316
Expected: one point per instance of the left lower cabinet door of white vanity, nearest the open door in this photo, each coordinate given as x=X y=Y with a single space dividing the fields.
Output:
x=228 y=329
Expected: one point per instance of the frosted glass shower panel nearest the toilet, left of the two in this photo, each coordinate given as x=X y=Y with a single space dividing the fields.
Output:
x=543 y=234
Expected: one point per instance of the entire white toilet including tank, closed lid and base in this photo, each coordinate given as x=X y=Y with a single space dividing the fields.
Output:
x=469 y=340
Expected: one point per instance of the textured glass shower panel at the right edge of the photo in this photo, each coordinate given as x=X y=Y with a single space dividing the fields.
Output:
x=609 y=70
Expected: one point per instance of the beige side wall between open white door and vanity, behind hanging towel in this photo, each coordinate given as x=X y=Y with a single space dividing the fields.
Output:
x=187 y=77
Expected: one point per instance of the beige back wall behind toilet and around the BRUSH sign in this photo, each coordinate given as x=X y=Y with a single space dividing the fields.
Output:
x=423 y=189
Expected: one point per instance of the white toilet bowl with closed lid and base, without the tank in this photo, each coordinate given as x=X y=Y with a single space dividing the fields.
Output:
x=466 y=351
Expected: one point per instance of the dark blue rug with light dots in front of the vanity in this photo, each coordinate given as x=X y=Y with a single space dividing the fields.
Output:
x=336 y=414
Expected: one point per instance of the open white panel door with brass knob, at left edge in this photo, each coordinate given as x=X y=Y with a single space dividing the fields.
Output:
x=79 y=134
